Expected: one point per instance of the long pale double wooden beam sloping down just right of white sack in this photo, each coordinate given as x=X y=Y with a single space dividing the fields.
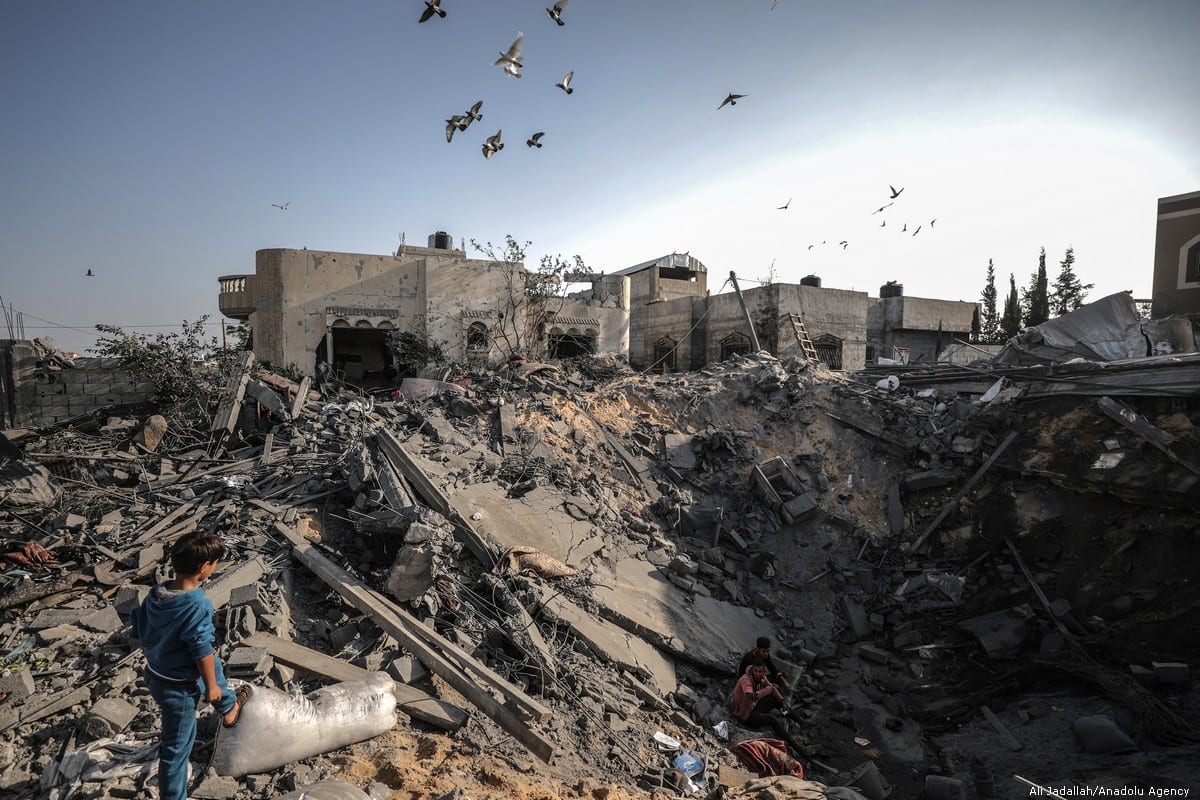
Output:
x=400 y=625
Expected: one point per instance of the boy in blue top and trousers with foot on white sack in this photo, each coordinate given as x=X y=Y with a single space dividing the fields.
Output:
x=175 y=625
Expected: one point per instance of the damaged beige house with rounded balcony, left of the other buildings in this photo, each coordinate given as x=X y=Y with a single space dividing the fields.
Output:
x=308 y=308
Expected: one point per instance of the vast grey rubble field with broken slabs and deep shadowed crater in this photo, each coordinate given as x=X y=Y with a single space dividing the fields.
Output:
x=560 y=568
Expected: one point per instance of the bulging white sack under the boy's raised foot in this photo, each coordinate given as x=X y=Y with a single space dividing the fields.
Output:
x=277 y=729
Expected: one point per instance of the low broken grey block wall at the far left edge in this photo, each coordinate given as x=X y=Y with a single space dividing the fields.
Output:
x=40 y=390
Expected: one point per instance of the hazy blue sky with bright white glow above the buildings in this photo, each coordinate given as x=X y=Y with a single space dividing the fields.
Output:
x=148 y=141
